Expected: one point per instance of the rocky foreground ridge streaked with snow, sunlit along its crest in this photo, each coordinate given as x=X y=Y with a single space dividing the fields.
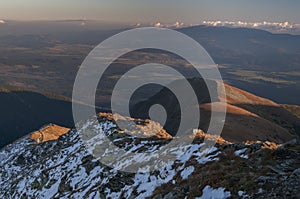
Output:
x=64 y=168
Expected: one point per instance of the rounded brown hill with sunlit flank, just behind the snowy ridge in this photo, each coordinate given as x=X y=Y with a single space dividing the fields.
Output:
x=248 y=117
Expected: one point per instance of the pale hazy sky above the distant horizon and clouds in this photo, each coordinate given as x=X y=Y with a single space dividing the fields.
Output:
x=142 y=11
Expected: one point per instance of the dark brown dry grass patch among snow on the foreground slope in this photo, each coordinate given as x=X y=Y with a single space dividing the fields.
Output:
x=231 y=172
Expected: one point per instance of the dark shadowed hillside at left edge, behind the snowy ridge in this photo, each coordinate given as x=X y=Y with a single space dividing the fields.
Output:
x=26 y=111
